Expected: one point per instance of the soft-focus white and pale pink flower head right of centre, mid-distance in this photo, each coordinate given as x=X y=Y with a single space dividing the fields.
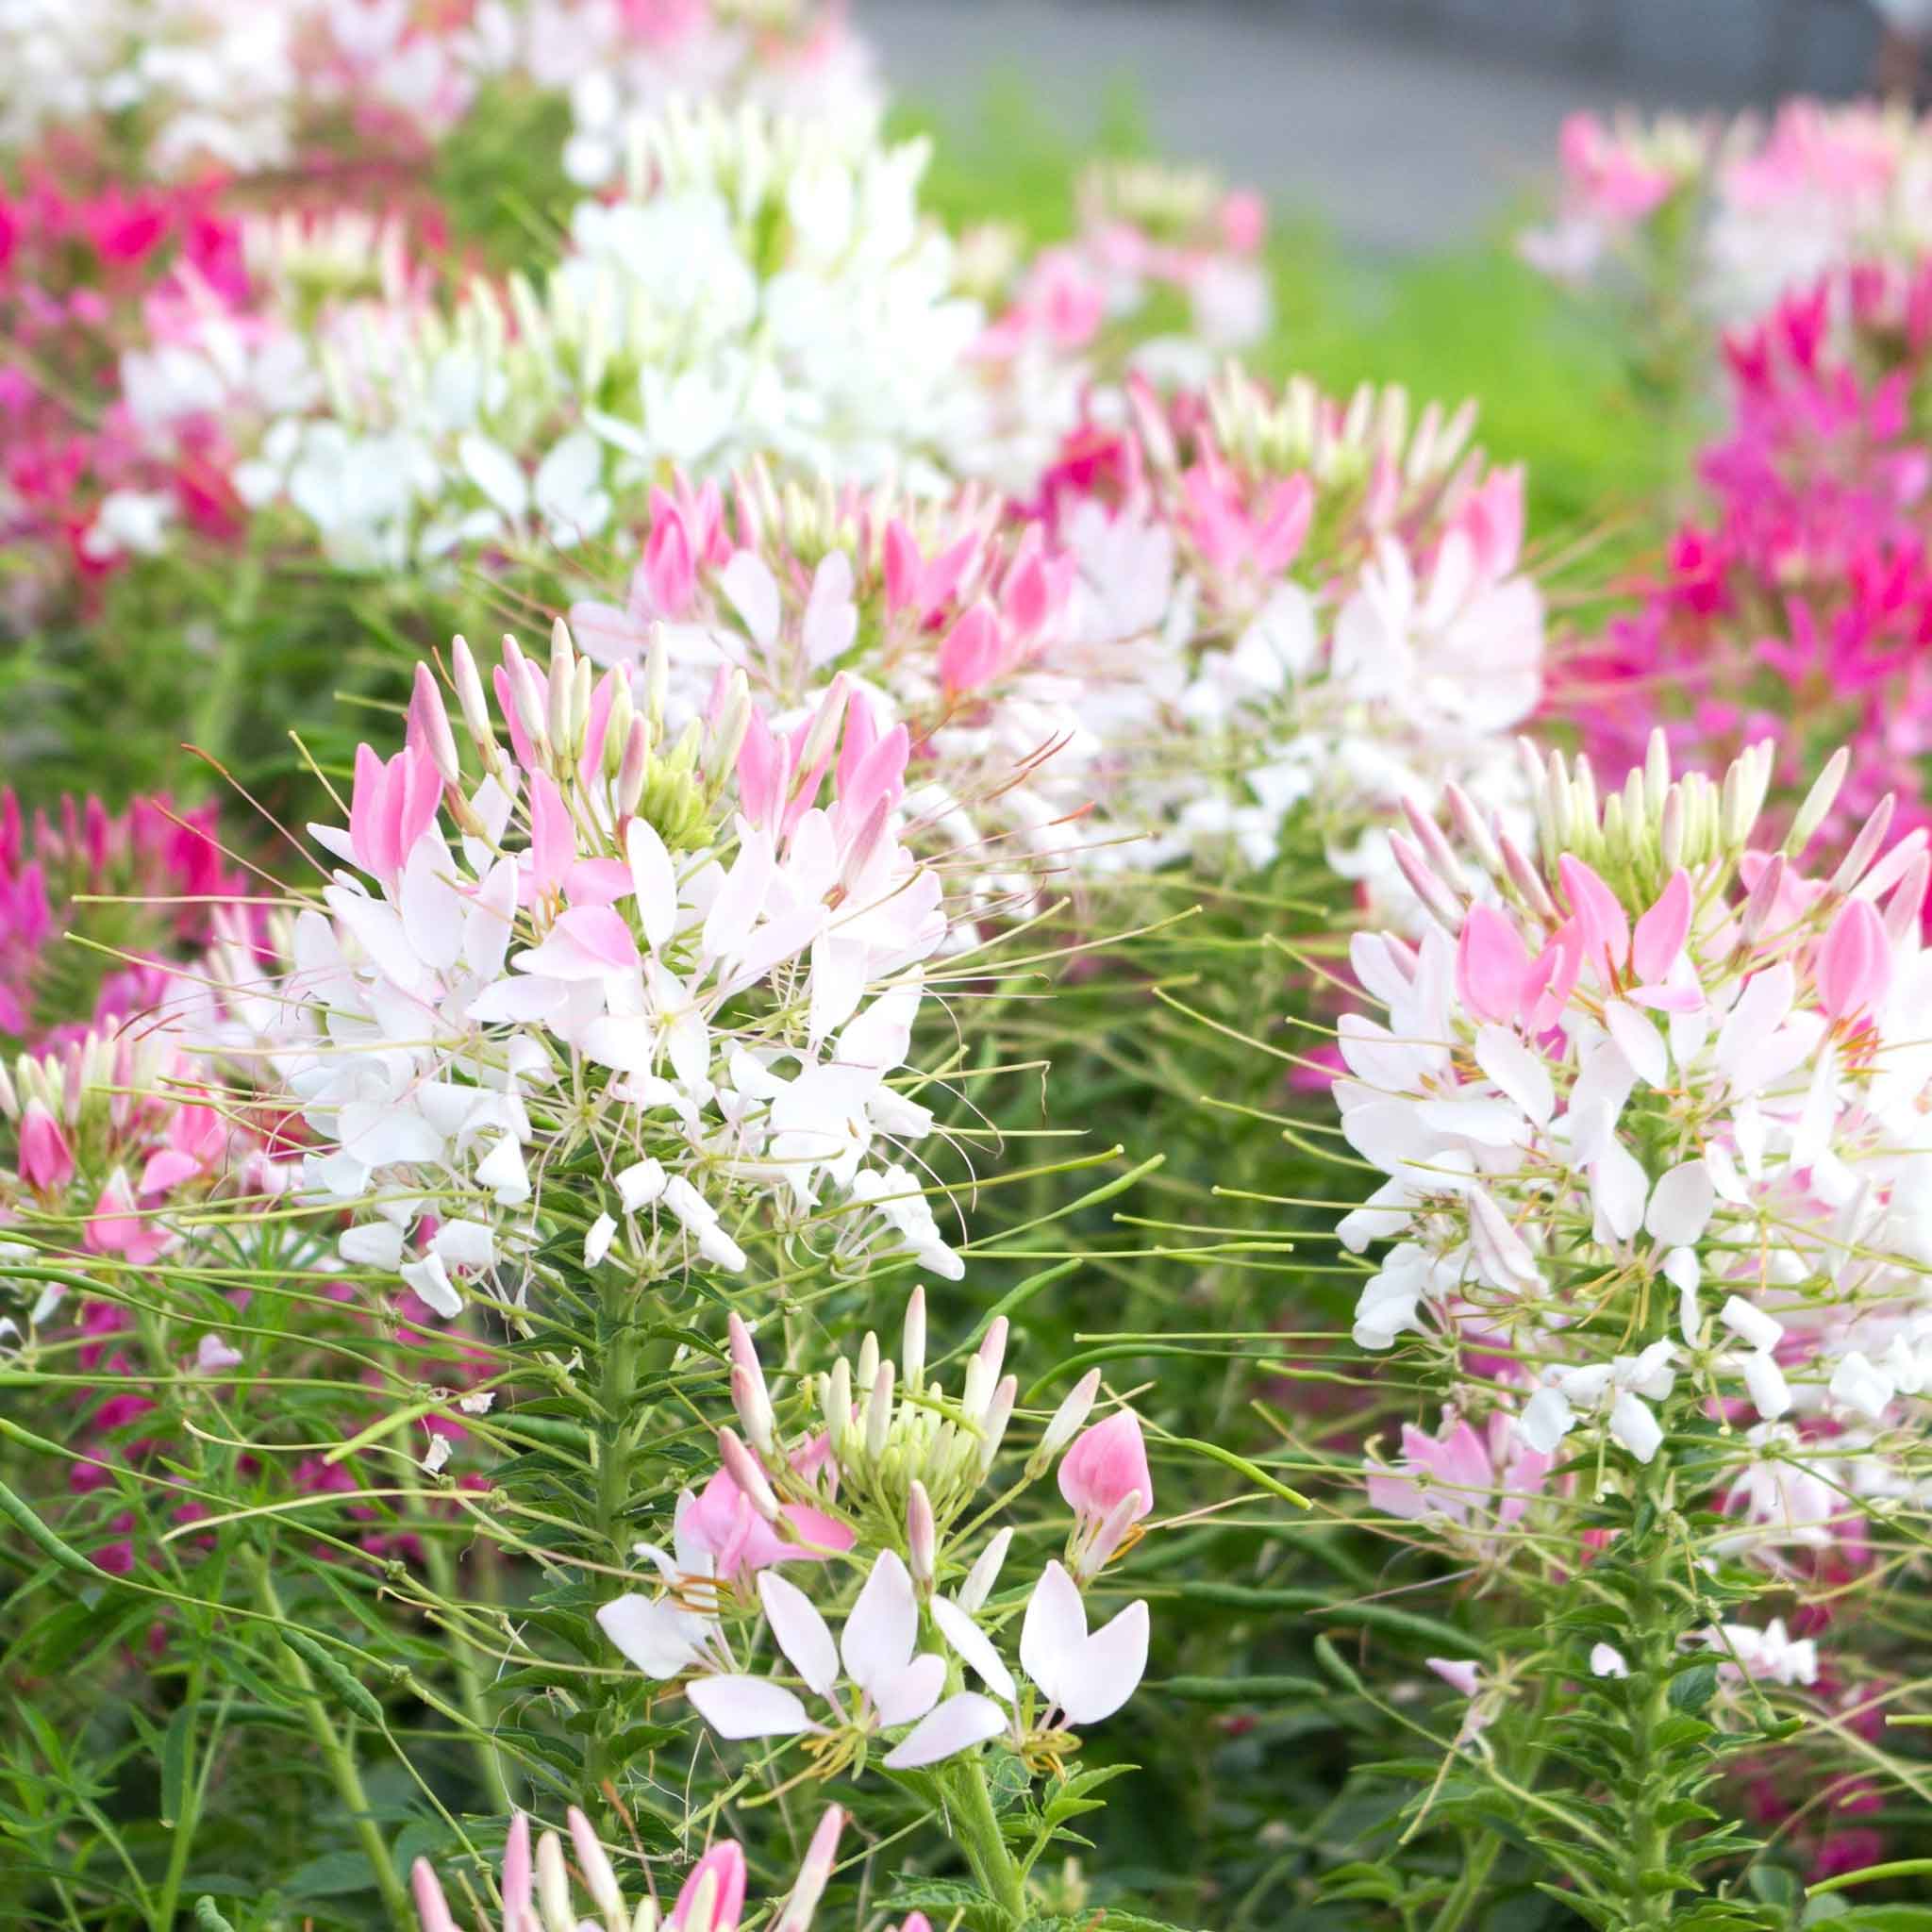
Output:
x=1328 y=600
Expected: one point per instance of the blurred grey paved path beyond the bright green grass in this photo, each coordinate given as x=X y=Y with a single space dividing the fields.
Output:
x=1400 y=144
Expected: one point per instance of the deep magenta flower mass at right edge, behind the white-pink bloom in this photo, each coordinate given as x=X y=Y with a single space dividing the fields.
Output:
x=1798 y=602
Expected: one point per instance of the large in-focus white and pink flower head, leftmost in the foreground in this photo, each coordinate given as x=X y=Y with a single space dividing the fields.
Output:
x=669 y=952
